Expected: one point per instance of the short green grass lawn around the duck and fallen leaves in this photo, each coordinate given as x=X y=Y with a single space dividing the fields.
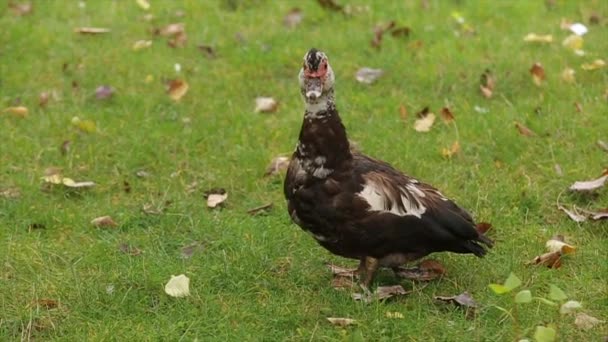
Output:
x=261 y=278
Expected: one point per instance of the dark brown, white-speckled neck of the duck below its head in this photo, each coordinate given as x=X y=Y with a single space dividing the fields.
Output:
x=323 y=144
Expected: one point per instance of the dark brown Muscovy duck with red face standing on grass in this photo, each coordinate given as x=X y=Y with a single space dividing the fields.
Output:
x=359 y=207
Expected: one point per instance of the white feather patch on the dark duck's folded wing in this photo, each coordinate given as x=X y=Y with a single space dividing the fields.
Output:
x=408 y=202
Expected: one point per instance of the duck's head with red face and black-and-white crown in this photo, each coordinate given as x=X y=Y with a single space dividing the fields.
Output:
x=316 y=76
